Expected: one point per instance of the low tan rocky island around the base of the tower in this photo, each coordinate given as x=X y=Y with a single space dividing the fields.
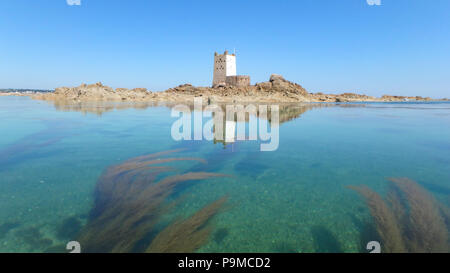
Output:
x=277 y=89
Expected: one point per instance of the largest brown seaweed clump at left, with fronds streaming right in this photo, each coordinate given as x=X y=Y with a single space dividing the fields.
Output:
x=129 y=202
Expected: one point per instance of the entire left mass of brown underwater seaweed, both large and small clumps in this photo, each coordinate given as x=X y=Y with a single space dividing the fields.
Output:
x=129 y=205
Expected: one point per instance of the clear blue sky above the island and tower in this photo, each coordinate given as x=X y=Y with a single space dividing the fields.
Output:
x=401 y=47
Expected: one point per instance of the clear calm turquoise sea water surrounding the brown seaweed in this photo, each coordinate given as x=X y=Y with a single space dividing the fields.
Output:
x=293 y=199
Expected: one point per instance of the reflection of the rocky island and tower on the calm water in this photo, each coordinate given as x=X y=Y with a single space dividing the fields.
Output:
x=226 y=128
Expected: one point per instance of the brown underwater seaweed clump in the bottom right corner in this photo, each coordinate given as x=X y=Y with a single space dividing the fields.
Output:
x=410 y=219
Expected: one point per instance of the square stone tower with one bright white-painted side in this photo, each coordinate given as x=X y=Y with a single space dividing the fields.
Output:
x=224 y=66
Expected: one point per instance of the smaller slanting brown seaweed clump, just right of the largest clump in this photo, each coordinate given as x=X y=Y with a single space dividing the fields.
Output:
x=187 y=235
